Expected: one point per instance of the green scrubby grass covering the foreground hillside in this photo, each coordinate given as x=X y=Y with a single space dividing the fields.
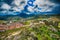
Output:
x=34 y=32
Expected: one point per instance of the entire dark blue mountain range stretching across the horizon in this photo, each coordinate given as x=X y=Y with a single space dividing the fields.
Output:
x=24 y=15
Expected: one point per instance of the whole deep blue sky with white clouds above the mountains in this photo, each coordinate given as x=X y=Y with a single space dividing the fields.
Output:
x=15 y=7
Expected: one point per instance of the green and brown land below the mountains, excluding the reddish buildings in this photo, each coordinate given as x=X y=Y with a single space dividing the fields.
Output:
x=40 y=28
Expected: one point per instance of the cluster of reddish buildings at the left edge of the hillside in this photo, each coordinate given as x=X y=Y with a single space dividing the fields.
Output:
x=10 y=26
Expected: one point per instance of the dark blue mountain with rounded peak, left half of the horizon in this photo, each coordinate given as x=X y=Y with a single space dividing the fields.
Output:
x=5 y=17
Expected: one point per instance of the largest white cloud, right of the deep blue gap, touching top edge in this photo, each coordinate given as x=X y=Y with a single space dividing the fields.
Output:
x=44 y=5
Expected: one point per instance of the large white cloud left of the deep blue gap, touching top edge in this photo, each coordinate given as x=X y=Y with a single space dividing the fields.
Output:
x=19 y=5
